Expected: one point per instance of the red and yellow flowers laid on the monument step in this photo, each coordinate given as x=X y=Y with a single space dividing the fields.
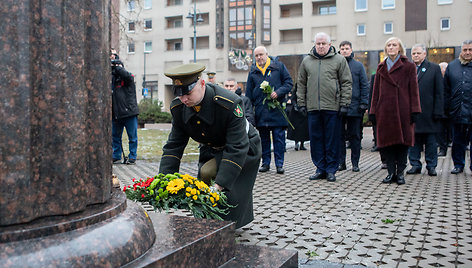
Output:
x=178 y=191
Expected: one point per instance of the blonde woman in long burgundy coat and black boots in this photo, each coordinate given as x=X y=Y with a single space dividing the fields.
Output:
x=395 y=105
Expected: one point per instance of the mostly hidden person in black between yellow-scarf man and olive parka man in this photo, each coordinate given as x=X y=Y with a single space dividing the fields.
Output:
x=299 y=121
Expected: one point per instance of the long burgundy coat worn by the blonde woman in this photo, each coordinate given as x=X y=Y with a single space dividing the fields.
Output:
x=395 y=97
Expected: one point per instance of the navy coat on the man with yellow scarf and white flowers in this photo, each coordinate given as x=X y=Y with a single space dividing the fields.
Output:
x=279 y=79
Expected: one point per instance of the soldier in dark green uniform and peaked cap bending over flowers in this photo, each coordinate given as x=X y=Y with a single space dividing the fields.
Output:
x=230 y=147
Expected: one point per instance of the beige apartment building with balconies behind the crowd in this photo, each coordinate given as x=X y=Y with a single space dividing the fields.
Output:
x=158 y=34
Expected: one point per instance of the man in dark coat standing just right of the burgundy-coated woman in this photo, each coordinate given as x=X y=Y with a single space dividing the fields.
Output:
x=430 y=83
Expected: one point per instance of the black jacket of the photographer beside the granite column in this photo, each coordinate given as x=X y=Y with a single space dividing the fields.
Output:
x=124 y=102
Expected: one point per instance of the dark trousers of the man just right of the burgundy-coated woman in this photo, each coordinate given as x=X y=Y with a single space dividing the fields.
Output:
x=430 y=150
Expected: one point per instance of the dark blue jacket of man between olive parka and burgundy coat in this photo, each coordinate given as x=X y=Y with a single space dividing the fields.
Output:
x=360 y=87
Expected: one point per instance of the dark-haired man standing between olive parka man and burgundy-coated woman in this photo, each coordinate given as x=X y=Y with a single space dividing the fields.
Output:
x=352 y=122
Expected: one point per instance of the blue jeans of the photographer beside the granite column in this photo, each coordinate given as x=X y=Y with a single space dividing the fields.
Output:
x=131 y=125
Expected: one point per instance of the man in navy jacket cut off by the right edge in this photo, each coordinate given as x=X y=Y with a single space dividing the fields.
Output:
x=458 y=88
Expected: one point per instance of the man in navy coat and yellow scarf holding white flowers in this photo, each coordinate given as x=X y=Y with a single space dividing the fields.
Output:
x=269 y=119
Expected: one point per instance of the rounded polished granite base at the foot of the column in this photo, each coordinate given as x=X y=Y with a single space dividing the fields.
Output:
x=110 y=235
